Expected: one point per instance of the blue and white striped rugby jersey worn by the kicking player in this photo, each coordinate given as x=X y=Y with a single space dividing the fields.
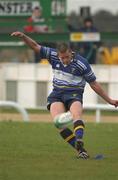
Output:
x=68 y=77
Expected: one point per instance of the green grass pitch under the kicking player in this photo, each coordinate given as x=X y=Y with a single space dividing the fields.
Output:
x=35 y=151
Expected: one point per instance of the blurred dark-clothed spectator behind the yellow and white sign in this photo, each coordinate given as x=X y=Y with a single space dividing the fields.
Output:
x=89 y=49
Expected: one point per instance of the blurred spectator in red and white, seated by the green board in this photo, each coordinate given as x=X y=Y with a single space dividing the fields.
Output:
x=36 y=22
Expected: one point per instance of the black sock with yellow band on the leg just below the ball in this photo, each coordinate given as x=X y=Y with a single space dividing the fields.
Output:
x=68 y=136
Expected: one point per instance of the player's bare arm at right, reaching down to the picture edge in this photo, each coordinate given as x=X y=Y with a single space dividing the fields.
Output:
x=98 y=89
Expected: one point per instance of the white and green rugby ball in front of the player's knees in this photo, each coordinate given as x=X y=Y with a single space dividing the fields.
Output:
x=63 y=119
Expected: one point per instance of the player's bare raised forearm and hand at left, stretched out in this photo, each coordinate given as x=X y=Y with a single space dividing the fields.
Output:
x=30 y=42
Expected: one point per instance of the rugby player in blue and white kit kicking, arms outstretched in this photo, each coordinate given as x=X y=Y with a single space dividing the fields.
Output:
x=71 y=72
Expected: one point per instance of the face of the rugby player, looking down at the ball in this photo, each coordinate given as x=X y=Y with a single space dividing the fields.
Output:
x=65 y=57
